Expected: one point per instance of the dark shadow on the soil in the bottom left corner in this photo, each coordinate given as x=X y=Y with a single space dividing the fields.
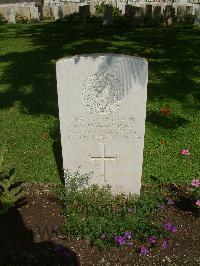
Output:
x=19 y=248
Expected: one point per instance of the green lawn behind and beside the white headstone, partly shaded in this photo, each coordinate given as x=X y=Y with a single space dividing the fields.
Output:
x=29 y=124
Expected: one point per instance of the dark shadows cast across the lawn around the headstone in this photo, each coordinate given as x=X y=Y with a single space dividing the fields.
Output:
x=29 y=75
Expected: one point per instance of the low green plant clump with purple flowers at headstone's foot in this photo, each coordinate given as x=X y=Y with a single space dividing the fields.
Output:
x=93 y=213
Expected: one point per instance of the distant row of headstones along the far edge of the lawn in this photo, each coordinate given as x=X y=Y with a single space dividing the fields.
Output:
x=135 y=13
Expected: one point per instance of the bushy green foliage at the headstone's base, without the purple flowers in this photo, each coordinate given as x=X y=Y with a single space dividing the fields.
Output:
x=95 y=214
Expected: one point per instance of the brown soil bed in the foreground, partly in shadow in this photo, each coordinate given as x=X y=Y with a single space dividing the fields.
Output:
x=28 y=236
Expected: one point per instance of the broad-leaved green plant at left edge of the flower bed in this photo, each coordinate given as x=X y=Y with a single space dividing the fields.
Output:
x=10 y=193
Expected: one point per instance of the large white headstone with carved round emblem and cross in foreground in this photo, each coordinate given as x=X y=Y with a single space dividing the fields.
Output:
x=102 y=109
